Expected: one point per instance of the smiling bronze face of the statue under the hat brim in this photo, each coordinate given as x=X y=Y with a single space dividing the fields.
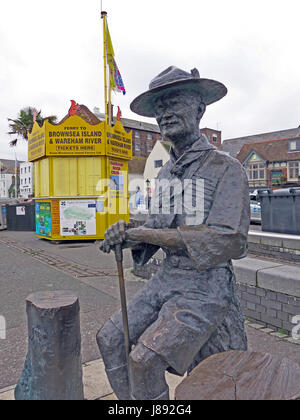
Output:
x=177 y=114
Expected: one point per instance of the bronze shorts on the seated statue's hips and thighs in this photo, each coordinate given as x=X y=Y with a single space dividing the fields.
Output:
x=185 y=316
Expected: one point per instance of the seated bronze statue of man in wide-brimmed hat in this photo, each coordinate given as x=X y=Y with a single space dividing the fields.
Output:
x=189 y=310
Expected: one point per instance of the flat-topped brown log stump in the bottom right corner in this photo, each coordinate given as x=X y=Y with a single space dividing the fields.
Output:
x=237 y=375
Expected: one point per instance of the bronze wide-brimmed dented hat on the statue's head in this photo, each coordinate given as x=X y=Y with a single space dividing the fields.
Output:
x=175 y=79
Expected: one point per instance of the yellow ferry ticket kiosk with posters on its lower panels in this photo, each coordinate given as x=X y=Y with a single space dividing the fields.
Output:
x=81 y=177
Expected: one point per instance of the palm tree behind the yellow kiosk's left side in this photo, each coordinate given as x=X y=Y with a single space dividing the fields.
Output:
x=24 y=123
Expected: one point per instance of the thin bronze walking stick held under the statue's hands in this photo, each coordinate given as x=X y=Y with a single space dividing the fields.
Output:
x=119 y=260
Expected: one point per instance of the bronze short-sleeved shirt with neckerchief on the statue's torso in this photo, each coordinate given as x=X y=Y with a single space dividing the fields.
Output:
x=210 y=210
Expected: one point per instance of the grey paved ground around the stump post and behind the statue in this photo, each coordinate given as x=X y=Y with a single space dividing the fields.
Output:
x=28 y=264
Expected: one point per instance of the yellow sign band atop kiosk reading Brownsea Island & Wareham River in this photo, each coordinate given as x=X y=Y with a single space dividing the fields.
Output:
x=75 y=137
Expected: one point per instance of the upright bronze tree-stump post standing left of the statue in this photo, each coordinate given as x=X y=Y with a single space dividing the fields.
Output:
x=52 y=369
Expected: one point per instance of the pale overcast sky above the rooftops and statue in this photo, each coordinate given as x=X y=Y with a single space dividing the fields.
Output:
x=51 y=52
